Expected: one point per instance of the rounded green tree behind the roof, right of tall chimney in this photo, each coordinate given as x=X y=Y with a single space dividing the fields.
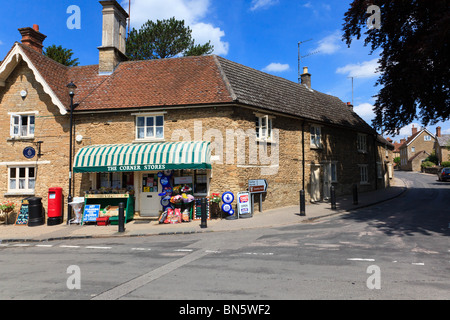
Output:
x=164 y=39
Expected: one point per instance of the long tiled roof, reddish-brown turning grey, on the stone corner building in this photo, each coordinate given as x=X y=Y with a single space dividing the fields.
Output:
x=191 y=81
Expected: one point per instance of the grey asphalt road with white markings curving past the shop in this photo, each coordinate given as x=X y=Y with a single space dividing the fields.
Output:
x=395 y=250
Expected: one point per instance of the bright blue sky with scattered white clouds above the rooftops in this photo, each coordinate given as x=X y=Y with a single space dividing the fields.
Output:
x=262 y=34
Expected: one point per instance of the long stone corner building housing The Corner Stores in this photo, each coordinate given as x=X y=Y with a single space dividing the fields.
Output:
x=216 y=123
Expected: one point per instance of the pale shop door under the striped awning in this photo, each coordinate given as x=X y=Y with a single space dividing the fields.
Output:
x=150 y=201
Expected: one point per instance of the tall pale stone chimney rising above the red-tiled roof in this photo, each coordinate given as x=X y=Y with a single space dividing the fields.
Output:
x=112 y=51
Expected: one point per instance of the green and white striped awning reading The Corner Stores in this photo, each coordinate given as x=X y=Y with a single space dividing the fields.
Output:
x=143 y=157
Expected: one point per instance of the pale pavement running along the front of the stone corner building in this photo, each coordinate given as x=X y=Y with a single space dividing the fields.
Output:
x=145 y=227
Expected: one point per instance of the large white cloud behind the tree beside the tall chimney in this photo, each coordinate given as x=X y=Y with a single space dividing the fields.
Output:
x=191 y=11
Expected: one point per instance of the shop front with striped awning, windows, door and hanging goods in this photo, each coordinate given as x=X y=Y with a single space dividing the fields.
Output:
x=161 y=176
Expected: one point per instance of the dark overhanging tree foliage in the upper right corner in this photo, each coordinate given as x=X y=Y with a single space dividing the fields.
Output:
x=415 y=59
